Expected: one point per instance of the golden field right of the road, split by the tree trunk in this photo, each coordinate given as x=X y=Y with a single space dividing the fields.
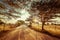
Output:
x=52 y=29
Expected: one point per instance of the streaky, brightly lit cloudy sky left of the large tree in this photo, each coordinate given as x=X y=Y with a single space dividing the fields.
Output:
x=12 y=13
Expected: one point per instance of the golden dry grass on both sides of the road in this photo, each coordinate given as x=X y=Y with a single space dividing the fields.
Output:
x=52 y=29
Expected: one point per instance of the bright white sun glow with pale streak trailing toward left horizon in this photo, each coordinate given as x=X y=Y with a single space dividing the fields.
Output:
x=24 y=15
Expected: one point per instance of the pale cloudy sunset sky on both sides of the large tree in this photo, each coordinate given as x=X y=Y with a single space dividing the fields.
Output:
x=22 y=10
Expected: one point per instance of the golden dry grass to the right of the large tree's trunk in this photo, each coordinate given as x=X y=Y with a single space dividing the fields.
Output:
x=53 y=29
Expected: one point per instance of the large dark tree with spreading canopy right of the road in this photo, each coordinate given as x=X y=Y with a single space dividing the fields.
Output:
x=47 y=10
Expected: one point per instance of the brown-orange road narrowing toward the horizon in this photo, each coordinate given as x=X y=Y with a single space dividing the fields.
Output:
x=25 y=33
